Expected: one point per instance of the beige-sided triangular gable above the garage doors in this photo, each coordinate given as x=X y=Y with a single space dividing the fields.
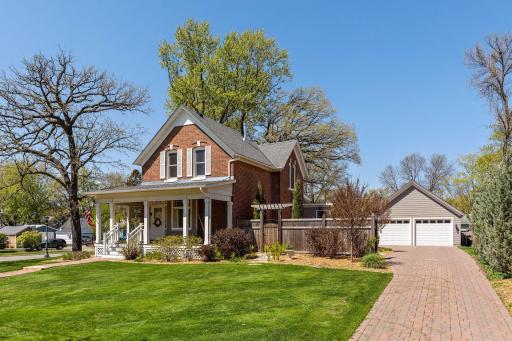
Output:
x=412 y=200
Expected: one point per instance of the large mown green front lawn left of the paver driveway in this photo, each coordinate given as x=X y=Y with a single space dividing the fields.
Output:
x=133 y=301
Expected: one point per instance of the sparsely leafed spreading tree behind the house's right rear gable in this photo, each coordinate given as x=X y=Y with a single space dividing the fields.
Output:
x=306 y=115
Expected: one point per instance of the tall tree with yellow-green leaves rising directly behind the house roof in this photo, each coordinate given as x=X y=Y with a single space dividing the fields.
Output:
x=225 y=79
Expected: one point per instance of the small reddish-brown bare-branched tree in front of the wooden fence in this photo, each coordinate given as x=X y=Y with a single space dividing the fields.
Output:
x=353 y=207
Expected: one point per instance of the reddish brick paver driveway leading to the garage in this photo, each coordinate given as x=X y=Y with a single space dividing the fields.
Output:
x=437 y=293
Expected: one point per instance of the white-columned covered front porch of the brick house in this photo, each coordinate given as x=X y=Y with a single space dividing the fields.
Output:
x=147 y=214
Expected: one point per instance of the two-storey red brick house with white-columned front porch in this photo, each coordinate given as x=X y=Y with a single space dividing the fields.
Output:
x=198 y=176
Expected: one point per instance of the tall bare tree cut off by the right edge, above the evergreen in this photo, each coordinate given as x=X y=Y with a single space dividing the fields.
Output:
x=492 y=67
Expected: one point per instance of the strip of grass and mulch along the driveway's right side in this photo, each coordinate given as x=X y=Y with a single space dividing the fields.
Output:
x=502 y=283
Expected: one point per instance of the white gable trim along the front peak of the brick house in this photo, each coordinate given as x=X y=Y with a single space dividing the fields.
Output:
x=180 y=117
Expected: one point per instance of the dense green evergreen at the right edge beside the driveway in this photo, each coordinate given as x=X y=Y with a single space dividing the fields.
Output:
x=492 y=218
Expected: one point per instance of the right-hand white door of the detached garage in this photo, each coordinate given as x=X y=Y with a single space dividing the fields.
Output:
x=436 y=232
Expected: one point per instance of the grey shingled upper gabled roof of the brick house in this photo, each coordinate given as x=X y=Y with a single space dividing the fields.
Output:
x=272 y=155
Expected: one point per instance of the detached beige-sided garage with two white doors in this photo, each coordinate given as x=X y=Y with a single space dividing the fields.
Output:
x=418 y=217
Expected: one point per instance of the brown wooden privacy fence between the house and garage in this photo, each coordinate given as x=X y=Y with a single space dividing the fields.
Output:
x=292 y=231
